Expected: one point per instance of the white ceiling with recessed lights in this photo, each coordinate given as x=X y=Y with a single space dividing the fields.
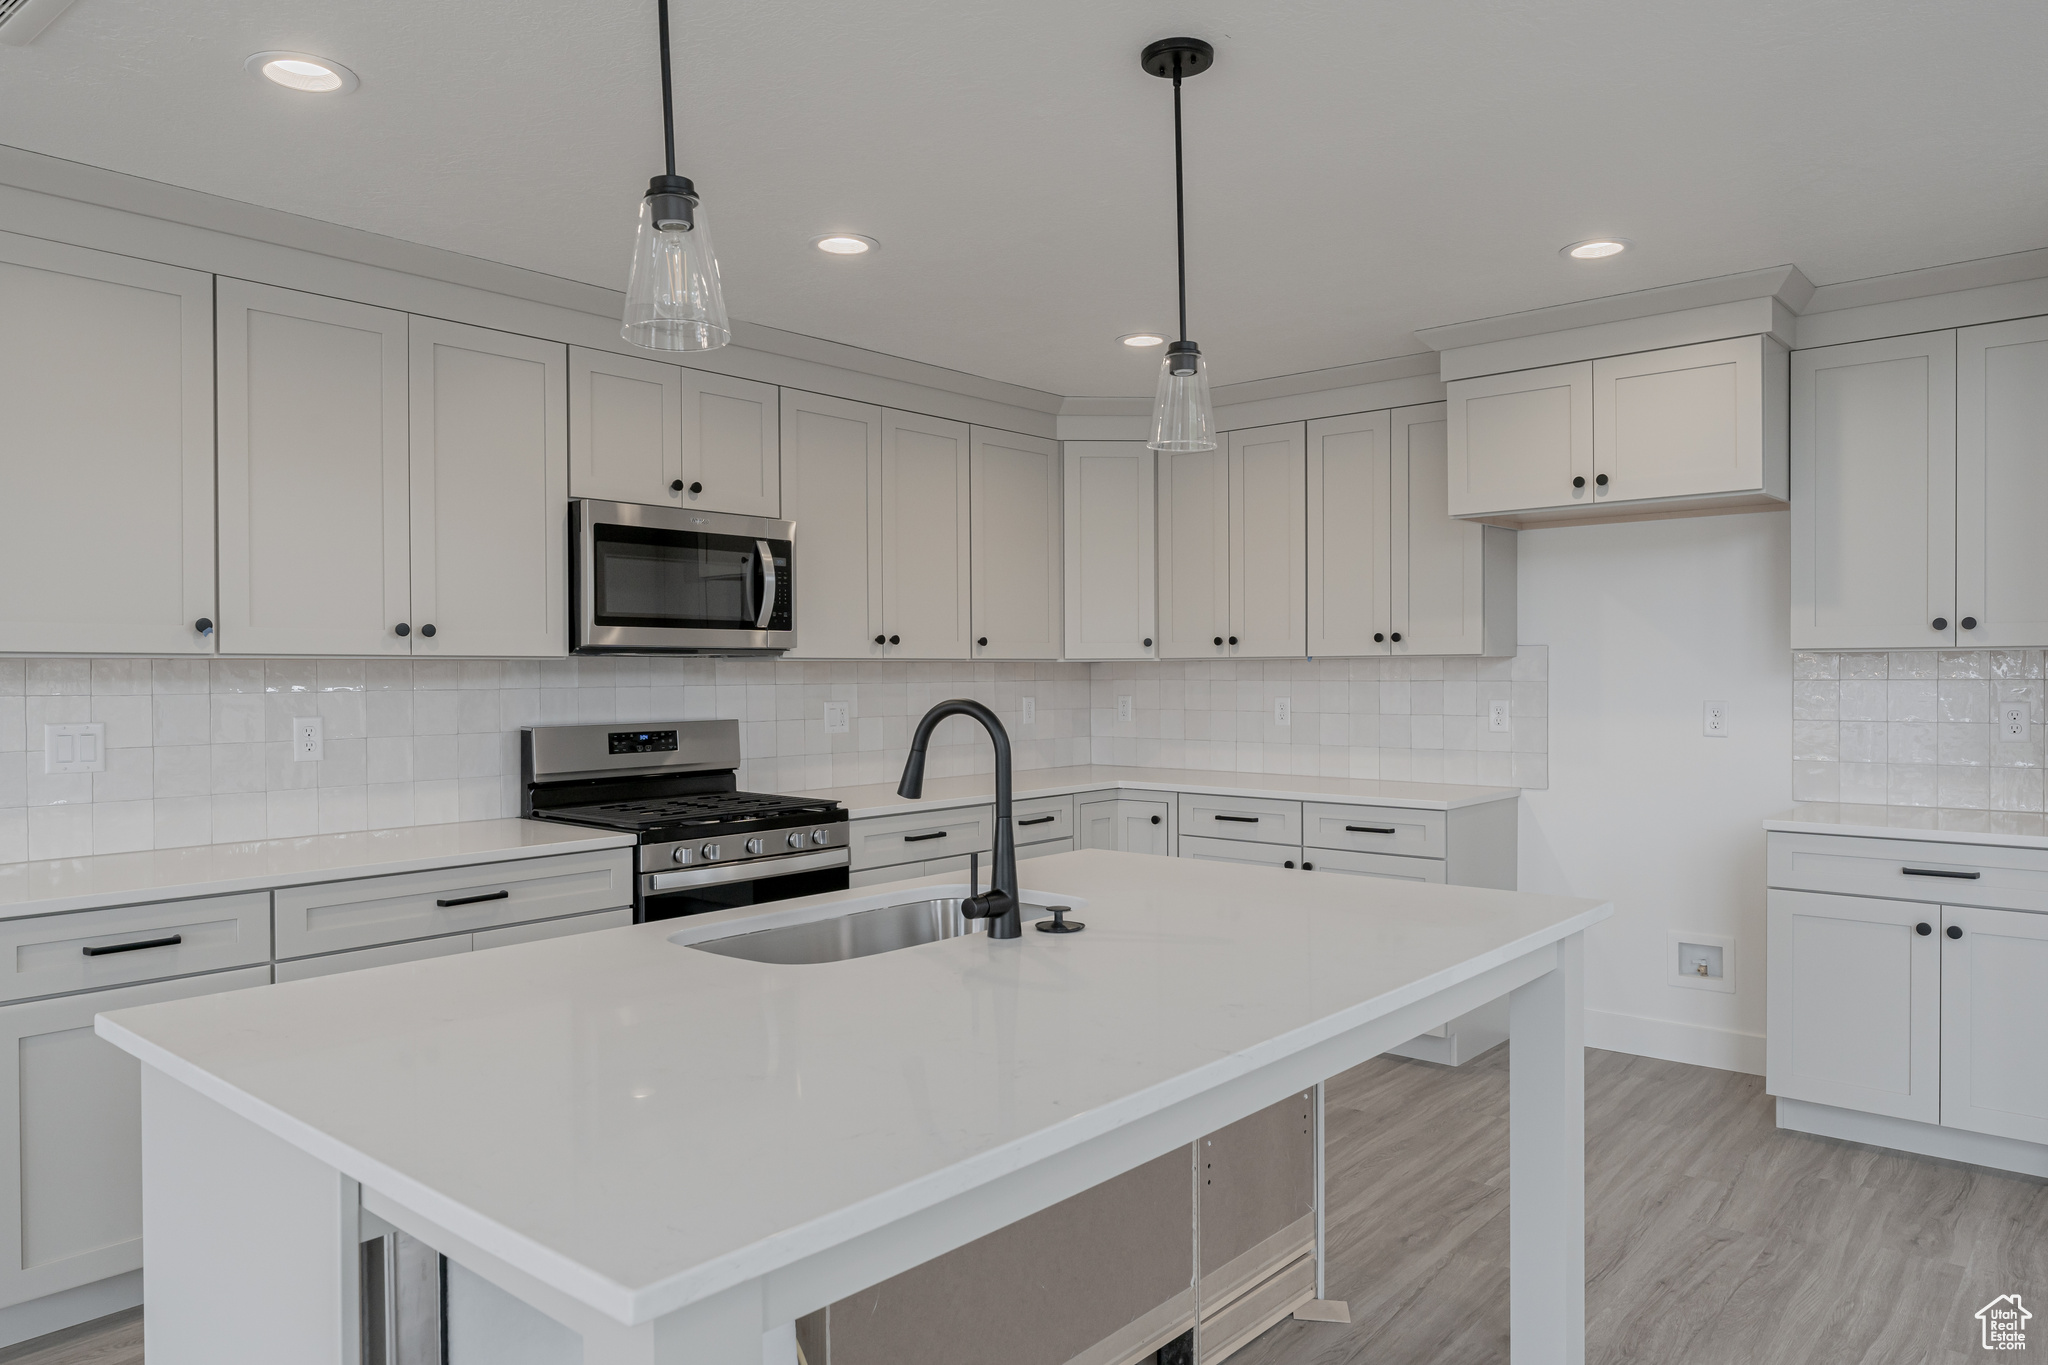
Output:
x=1357 y=171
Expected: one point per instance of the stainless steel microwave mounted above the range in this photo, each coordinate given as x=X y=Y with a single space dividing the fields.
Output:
x=671 y=580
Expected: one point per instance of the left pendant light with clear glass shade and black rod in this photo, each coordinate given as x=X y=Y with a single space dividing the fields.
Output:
x=673 y=296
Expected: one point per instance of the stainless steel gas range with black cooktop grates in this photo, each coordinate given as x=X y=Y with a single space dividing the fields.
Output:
x=703 y=844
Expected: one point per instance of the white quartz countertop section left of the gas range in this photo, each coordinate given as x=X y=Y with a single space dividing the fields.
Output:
x=60 y=885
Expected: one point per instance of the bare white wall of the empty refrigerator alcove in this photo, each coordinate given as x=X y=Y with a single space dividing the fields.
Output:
x=1648 y=623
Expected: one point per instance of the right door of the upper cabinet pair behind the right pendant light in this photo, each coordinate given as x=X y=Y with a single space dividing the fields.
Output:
x=1269 y=543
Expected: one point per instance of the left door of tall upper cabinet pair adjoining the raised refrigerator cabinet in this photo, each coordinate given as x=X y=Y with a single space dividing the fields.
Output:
x=1351 y=535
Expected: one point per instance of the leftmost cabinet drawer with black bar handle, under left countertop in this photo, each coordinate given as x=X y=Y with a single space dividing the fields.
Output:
x=52 y=955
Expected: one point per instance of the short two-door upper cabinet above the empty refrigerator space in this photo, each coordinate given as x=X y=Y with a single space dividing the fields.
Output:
x=1654 y=433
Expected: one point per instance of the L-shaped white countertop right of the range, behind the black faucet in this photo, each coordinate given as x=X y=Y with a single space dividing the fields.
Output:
x=882 y=799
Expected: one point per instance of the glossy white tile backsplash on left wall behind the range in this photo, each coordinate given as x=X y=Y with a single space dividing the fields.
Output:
x=198 y=752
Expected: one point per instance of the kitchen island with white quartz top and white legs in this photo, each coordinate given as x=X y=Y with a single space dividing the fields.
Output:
x=679 y=1153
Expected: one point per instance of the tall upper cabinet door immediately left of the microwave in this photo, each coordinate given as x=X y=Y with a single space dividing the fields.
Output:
x=490 y=482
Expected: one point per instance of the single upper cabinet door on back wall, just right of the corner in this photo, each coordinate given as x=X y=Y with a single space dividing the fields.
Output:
x=1111 y=556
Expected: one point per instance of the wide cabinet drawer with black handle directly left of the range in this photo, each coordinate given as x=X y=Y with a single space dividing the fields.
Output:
x=388 y=910
